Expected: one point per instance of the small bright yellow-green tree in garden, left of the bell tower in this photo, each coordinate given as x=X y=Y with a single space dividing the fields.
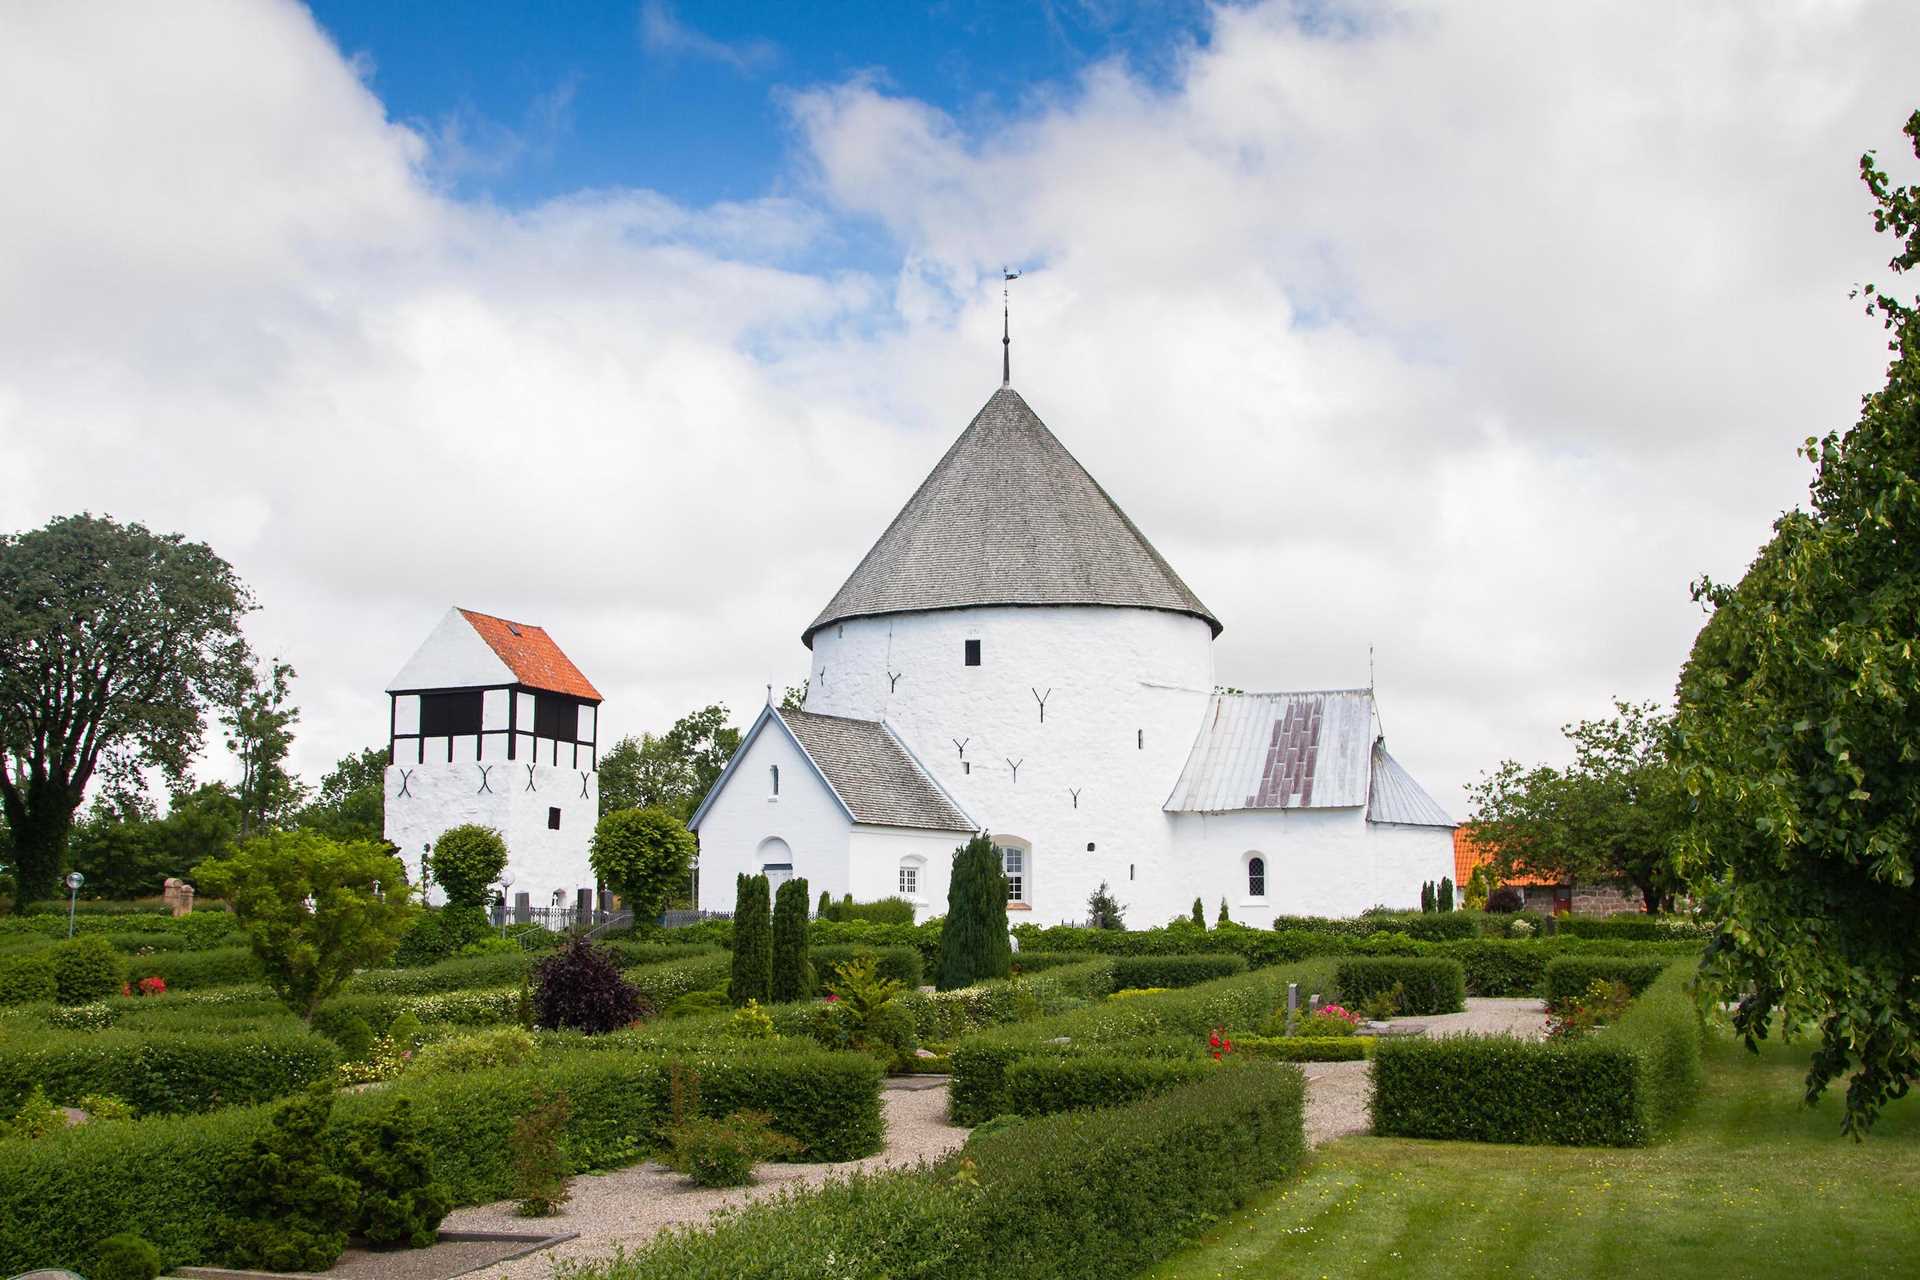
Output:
x=310 y=951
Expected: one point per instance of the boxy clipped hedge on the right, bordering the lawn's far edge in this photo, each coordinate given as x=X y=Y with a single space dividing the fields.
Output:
x=1614 y=1089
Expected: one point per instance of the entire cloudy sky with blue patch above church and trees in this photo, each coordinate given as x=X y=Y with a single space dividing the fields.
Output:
x=1468 y=333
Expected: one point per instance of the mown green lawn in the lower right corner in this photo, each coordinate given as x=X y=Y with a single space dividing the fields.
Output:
x=1754 y=1185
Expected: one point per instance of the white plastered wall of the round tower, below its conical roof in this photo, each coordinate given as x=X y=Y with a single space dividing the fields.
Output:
x=1126 y=692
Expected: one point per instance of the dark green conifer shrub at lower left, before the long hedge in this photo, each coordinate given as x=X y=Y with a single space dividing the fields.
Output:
x=291 y=1212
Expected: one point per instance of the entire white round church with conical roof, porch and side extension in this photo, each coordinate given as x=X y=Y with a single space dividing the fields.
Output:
x=1015 y=657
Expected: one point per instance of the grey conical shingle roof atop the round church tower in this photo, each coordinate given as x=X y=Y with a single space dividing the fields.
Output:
x=1009 y=517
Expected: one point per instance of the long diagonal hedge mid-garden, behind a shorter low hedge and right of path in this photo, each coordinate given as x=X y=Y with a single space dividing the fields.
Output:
x=978 y=1091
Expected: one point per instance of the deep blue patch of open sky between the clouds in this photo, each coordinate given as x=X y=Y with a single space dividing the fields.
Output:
x=686 y=101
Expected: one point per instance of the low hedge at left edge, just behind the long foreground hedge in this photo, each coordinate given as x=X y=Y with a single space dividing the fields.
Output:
x=164 y=1074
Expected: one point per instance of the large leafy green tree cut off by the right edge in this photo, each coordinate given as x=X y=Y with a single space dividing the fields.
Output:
x=1800 y=740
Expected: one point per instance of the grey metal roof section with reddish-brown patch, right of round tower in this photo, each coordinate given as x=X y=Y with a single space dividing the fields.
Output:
x=1280 y=751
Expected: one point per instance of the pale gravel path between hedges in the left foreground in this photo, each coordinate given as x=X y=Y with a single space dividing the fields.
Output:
x=629 y=1206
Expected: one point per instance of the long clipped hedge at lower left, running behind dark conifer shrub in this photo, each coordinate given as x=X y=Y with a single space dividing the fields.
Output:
x=164 y=1177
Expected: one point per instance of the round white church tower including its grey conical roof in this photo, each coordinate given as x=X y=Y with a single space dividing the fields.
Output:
x=1036 y=653
